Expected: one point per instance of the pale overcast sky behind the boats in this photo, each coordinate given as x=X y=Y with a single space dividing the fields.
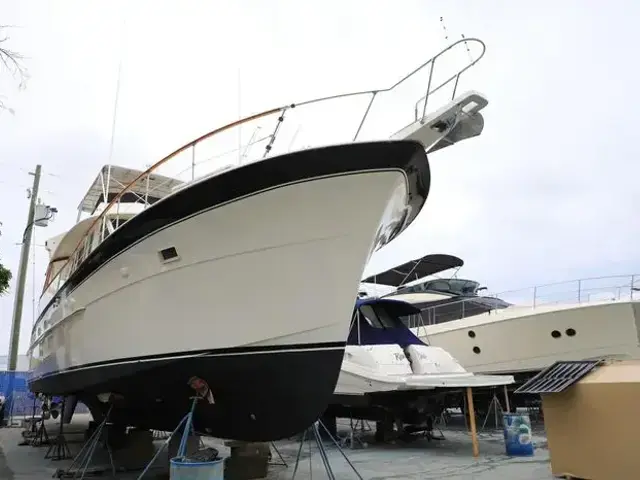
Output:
x=548 y=192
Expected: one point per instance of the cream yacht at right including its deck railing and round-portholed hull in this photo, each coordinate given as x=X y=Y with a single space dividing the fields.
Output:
x=585 y=319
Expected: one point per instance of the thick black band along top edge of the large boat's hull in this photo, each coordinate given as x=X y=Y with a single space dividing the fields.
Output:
x=257 y=177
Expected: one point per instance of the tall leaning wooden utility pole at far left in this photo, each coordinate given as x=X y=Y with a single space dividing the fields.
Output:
x=22 y=275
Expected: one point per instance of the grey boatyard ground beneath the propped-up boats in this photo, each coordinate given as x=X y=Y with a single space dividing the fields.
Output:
x=450 y=459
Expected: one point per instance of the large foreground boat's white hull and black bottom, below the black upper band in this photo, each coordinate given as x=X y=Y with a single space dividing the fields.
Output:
x=257 y=300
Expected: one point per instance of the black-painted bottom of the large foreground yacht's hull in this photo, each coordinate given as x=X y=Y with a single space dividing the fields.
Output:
x=253 y=394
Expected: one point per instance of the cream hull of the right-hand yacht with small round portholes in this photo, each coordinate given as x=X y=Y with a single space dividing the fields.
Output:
x=521 y=339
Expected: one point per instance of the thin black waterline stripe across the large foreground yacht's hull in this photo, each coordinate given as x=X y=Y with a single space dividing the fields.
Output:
x=244 y=350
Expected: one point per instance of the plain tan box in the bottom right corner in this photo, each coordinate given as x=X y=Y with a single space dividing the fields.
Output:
x=593 y=426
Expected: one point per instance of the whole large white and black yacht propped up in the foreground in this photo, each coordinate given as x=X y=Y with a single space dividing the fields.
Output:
x=141 y=295
